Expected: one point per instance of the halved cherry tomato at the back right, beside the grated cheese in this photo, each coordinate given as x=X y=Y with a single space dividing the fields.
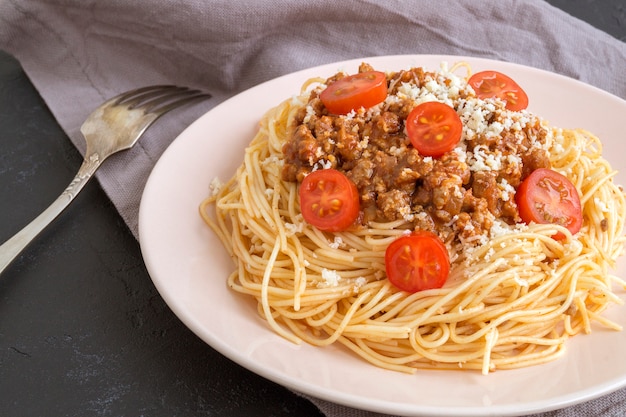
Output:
x=493 y=84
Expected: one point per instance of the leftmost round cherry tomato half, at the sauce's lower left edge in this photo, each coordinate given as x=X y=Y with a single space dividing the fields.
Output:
x=329 y=200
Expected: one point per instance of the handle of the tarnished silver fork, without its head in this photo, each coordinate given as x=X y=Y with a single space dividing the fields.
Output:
x=16 y=244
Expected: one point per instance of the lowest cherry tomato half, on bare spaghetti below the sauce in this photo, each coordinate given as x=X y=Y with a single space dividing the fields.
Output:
x=417 y=262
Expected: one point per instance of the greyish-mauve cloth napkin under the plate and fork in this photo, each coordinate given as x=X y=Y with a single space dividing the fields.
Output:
x=78 y=53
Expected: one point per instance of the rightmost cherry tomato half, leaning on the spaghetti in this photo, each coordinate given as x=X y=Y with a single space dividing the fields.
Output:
x=548 y=197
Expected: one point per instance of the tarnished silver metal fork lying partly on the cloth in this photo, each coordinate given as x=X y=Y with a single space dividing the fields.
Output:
x=114 y=126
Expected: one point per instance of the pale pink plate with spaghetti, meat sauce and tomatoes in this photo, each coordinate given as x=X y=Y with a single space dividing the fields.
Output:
x=412 y=235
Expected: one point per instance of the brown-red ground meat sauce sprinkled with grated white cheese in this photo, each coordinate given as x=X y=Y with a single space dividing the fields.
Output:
x=458 y=195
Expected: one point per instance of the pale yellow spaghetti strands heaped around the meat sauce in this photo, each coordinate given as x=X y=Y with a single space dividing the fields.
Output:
x=514 y=295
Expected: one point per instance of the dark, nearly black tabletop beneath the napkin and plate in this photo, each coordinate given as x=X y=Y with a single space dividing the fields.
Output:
x=83 y=331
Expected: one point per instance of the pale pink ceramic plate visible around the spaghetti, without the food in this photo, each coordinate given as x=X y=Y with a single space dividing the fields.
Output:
x=189 y=266
